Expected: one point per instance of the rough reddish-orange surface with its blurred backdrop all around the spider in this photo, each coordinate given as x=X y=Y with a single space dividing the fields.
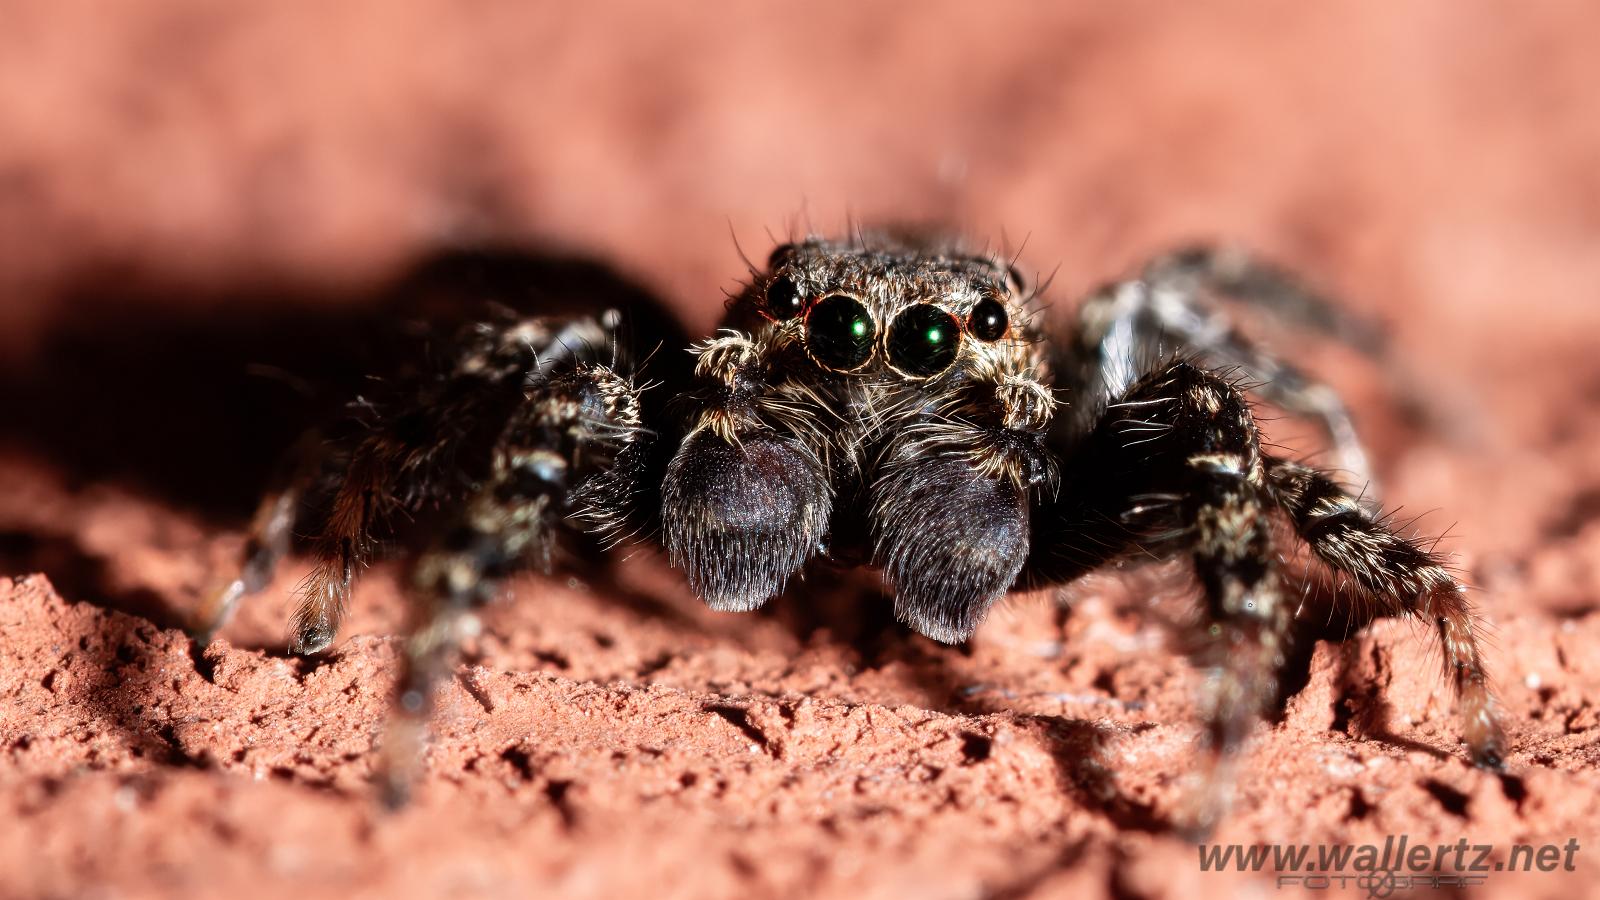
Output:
x=199 y=206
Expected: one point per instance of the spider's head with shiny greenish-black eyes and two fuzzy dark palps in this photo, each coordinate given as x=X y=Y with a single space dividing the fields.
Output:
x=905 y=382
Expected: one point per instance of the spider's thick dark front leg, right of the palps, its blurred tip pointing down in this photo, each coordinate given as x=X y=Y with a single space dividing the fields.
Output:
x=1175 y=467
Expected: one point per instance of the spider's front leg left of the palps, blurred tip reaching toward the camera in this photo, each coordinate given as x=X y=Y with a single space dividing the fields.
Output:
x=570 y=457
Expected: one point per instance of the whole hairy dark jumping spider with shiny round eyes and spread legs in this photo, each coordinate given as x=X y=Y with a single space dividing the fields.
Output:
x=881 y=401
